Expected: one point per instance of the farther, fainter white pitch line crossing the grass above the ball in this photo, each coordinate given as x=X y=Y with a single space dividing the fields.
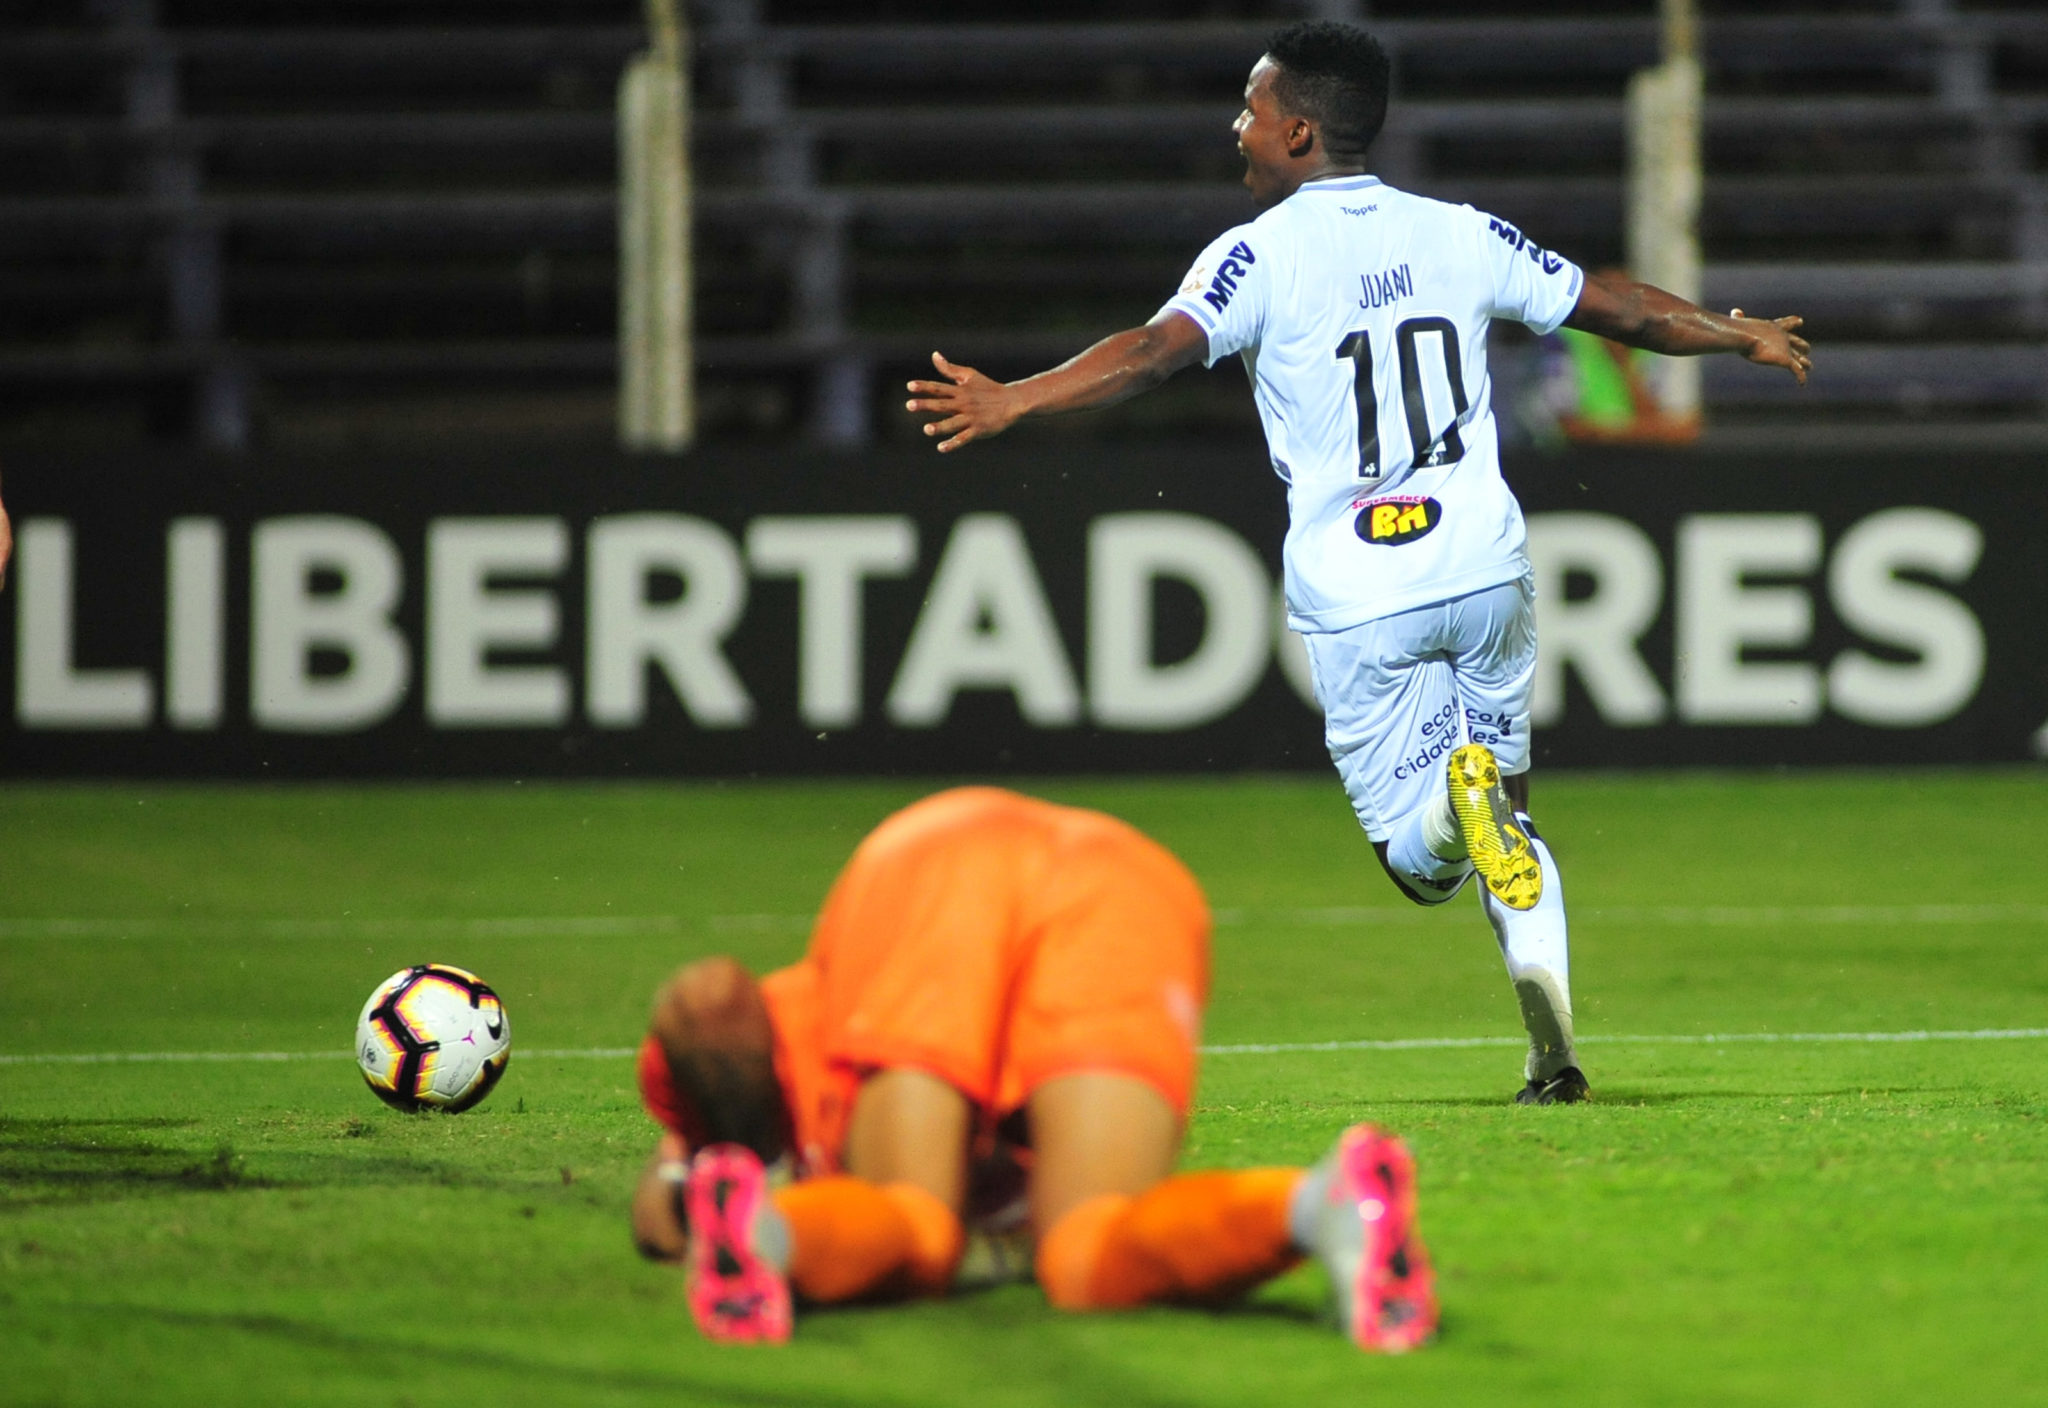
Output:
x=644 y=926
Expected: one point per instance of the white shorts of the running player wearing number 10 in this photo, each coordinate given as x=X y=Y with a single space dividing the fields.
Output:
x=1402 y=693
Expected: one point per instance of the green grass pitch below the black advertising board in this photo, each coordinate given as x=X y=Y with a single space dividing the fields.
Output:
x=1844 y=1223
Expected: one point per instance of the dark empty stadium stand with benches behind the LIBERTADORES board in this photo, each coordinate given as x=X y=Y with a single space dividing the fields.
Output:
x=237 y=220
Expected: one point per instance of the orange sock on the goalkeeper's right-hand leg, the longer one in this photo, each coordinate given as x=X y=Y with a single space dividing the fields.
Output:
x=1195 y=1237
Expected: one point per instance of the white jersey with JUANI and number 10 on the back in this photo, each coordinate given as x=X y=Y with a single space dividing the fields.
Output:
x=1363 y=318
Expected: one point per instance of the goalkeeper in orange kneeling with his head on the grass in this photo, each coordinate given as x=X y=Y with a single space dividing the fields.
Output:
x=996 y=1024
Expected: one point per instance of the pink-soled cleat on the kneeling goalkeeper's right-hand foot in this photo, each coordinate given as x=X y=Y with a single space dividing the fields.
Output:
x=1369 y=1241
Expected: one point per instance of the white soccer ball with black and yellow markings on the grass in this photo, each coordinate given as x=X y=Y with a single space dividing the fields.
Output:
x=433 y=1039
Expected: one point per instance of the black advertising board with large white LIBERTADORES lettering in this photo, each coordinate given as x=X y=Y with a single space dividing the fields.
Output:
x=1025 y=607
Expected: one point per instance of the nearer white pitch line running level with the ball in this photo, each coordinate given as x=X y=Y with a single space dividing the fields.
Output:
x=1254 y=1049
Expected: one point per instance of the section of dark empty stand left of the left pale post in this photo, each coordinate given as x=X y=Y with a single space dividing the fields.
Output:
x=226 y=220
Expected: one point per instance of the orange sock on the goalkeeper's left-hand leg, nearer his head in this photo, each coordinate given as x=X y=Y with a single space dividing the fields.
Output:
x=859 y=1239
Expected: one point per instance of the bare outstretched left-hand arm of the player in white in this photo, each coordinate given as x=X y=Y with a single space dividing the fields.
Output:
x=972 y=406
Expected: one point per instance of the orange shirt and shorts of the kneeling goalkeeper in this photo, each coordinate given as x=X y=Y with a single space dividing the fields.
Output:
x=996 y=942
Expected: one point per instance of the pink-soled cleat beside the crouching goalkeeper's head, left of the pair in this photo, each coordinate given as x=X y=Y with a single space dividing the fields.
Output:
x=738 y=1296
